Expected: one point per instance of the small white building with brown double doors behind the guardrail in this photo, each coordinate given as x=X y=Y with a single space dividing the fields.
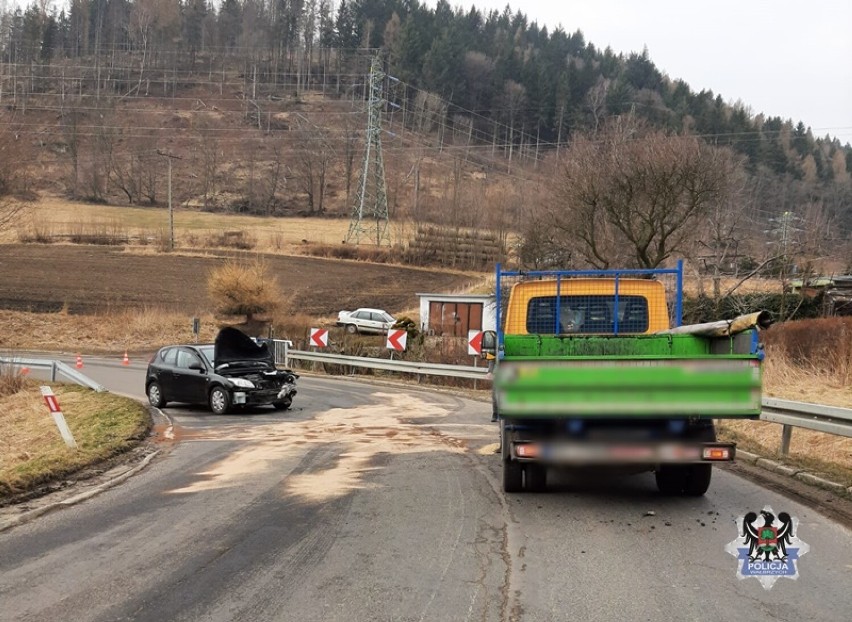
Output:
x=453 y=315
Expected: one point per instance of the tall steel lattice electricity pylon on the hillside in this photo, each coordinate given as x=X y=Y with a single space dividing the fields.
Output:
x=370 y=209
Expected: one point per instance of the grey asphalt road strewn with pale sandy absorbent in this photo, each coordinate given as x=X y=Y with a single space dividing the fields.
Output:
x=375 y=502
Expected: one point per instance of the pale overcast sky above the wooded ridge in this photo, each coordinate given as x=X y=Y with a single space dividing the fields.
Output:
x=786 y=58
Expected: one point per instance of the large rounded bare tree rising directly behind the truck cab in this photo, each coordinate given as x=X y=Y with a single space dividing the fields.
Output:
x=634 y=196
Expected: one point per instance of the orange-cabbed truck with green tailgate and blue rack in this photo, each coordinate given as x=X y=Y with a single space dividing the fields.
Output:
x=594 y=368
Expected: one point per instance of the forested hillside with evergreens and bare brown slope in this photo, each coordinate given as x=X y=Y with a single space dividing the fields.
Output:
x=258 y=105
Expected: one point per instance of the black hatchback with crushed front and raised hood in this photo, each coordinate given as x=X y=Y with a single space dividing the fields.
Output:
x=235 y=371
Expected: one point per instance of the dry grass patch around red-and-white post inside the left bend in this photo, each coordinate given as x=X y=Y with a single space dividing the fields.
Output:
x=31 y=450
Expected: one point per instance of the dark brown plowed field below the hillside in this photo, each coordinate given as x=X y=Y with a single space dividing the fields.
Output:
x=89 y=279
